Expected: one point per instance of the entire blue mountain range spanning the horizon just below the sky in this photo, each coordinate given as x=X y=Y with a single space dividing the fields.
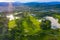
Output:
x=29 y=3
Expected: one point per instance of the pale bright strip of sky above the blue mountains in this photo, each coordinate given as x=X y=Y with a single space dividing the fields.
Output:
x=29 y=0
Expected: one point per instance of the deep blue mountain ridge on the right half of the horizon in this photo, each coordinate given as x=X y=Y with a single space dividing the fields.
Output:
x=42 y=4
